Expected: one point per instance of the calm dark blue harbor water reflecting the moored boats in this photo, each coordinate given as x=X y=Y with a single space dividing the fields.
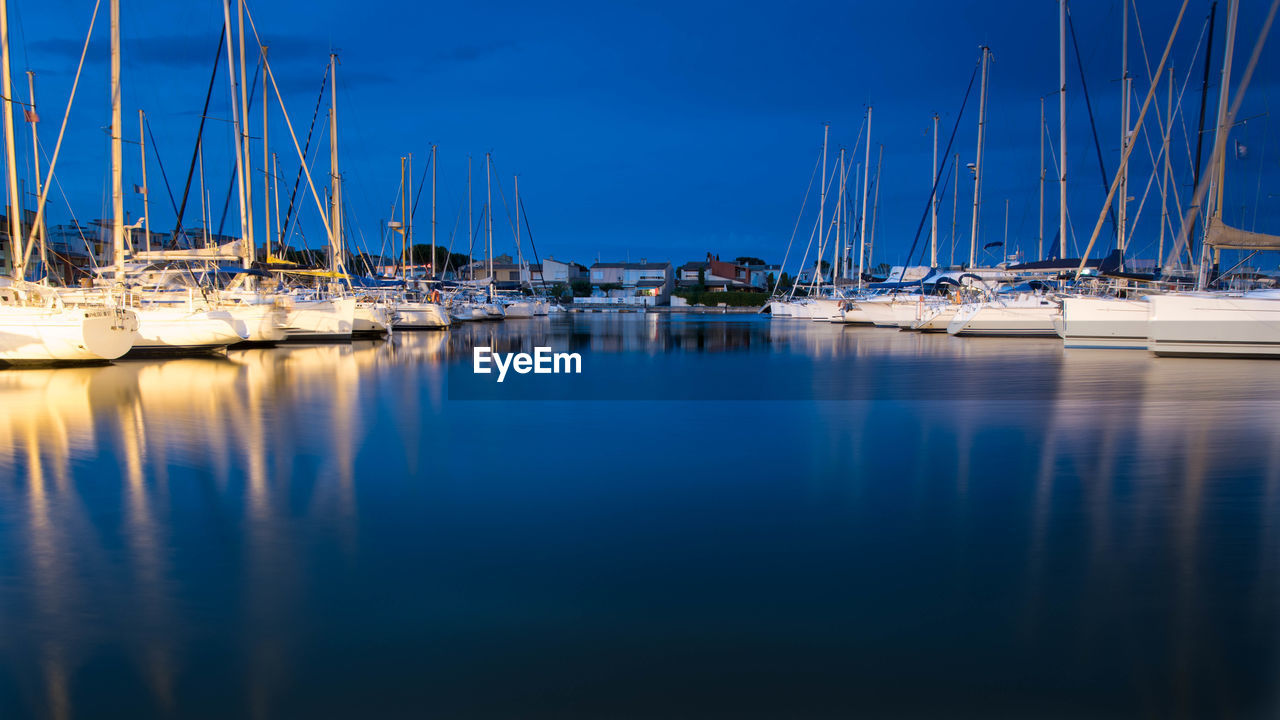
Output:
x=723 y=517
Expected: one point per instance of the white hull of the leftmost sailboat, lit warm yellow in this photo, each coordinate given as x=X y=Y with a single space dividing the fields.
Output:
x=74 y=335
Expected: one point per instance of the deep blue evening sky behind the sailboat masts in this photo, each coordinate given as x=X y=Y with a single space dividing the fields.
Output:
x=646 y=130
